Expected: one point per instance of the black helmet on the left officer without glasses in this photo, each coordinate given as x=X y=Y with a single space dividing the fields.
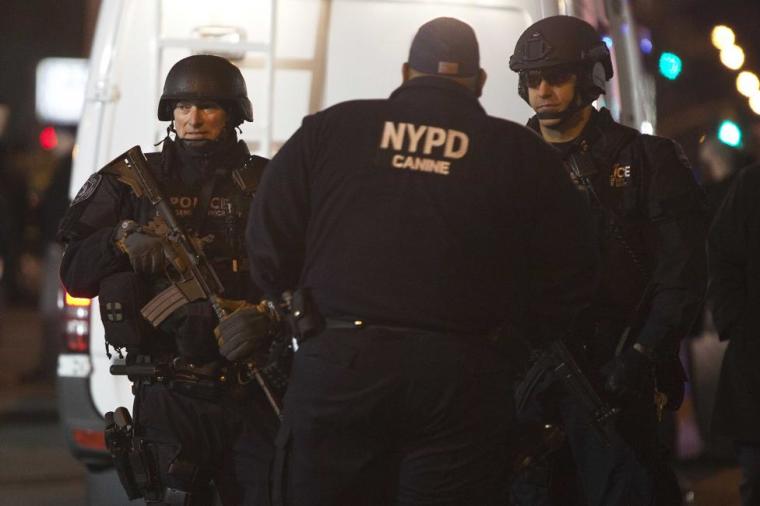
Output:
x=206 y=77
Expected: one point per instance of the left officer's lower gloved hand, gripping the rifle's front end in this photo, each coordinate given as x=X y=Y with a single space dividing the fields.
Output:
x=246 y=334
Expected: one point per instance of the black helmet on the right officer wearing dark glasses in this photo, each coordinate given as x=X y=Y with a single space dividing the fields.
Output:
x=567 y=41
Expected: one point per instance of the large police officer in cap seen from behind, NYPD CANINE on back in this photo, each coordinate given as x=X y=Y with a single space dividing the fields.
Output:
x=418 y=225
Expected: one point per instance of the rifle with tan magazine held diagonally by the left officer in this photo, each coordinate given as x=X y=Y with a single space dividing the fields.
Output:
x=195 y=276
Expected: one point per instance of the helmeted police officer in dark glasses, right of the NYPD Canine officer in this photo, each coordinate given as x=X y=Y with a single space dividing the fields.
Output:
x=650 y=236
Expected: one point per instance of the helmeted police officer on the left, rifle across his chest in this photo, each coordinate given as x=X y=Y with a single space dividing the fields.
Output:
x=191 y=425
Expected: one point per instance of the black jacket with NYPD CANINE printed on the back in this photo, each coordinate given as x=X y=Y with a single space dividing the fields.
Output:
x=423 y=211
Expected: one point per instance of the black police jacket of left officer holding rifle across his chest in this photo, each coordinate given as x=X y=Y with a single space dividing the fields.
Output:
x=88 y=228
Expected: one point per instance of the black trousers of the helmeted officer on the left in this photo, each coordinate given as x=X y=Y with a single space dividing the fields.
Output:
x=229 y=441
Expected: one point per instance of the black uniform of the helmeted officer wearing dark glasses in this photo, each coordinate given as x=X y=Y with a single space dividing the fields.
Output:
x=649 y=212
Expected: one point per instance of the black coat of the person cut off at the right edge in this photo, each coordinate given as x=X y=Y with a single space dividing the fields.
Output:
x=734 y=294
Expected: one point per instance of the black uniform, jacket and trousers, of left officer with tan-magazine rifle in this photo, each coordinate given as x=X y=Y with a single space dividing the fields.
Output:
x=223 y=437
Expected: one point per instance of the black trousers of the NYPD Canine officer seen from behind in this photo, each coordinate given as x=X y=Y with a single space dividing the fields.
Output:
x=380 y=416
